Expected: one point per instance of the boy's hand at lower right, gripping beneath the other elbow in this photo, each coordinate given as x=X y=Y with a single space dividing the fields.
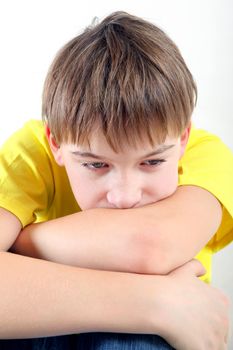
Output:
x=197 y=314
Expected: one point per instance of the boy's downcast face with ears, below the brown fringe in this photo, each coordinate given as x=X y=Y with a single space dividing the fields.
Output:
x=134 y=177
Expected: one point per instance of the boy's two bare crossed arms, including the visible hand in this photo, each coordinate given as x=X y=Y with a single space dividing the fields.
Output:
x=42 y=298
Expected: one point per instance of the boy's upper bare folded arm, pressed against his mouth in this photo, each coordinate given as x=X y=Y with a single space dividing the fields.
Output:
x=152 y=239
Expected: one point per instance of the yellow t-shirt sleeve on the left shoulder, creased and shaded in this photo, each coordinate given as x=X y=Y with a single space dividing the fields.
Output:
x=26 y=182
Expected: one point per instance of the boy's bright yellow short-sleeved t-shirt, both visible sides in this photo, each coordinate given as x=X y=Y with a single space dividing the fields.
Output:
x=36 y=189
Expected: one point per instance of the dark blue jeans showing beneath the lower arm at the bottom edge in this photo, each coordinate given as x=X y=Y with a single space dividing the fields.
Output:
x=89 y=341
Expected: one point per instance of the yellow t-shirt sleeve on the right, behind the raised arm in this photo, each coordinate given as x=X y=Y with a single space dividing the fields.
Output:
x=208 y=163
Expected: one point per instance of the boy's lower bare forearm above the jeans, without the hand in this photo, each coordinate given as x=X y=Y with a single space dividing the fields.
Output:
x=40 y=298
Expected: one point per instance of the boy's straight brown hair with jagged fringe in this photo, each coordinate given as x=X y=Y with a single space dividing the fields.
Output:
x=124 y=75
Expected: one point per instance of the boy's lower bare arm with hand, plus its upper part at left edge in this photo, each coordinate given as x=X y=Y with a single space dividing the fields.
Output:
x=28 y=310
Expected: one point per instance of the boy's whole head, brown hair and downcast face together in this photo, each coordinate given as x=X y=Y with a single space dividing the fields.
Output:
x=118 y=89
